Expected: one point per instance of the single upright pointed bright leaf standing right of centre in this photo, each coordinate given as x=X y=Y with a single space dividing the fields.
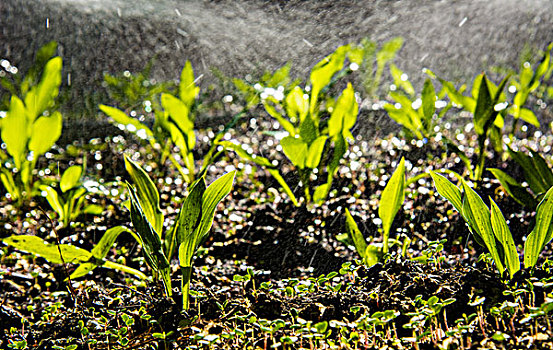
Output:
x=391 y=200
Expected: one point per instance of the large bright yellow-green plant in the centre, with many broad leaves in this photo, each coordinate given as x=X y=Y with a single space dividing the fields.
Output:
x=312 y=142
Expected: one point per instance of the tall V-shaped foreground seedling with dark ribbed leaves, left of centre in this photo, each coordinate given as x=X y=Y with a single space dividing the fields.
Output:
x=187 y=234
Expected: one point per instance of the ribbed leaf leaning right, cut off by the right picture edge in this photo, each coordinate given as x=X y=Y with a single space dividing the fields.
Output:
x=542 y=232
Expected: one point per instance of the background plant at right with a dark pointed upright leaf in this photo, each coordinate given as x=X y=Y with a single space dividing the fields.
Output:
x=485 y=104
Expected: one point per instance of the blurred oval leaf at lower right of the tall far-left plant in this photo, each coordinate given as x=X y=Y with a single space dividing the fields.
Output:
x=45 y=132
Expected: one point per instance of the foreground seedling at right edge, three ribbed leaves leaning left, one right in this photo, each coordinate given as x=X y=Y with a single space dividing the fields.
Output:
x=490 y=229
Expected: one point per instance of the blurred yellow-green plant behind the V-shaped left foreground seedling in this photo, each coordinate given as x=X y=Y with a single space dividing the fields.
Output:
x=174 y=122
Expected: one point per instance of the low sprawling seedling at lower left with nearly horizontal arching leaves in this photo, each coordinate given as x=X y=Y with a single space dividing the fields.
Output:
x=68 y=253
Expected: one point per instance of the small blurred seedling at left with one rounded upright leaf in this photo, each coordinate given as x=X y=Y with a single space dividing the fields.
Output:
x=67 y=199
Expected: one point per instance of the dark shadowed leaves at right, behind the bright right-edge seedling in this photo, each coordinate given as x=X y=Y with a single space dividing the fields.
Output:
x=537 y=174
